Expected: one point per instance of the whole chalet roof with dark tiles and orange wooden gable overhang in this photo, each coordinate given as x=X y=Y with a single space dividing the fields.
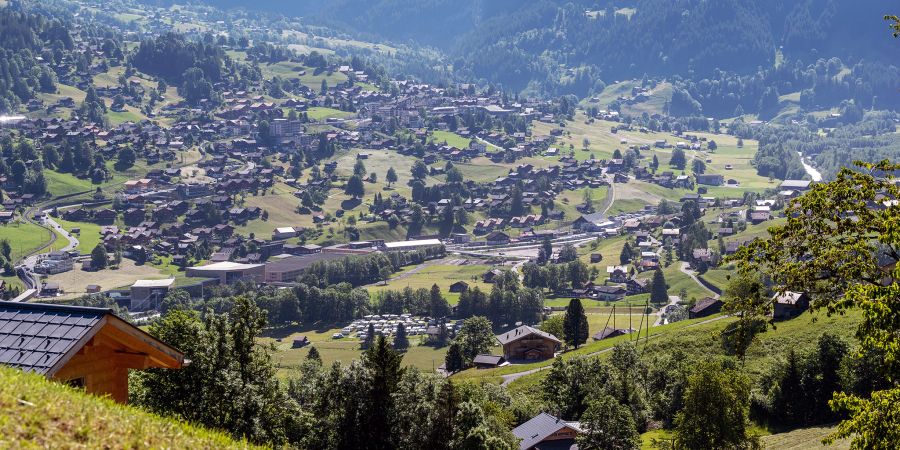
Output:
x=41 y=338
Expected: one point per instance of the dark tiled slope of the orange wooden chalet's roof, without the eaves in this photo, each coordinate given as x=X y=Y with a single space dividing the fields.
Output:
x=35 y=337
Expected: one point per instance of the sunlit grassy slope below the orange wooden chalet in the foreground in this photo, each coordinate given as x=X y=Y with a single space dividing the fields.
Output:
x=37 y=413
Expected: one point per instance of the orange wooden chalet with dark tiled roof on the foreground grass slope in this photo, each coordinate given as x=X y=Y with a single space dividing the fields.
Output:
x=90 y=348
